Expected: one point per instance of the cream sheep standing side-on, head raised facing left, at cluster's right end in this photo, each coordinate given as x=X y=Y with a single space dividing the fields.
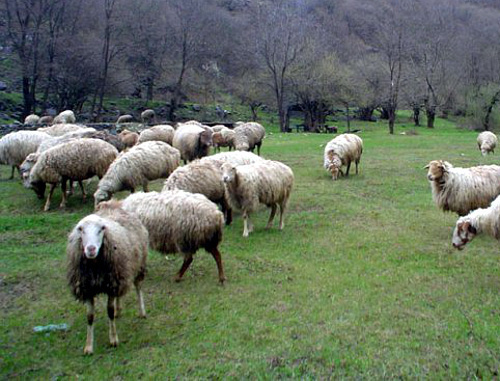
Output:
x=268 y=182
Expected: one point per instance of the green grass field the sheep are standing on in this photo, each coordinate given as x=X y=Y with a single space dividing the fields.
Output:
x=362 y=283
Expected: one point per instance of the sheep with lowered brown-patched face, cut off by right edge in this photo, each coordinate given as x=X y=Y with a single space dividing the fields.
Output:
x=476 y=222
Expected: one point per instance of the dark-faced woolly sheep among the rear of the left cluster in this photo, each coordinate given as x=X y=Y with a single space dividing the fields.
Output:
x=192 y=141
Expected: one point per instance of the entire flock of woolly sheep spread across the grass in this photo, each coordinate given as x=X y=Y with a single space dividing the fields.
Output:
x=107 y=250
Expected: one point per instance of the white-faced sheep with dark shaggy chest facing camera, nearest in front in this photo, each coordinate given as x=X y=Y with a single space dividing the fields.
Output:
x=106 y=252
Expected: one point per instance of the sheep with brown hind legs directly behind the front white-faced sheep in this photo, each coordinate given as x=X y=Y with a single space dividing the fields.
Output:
x=179 y=221
